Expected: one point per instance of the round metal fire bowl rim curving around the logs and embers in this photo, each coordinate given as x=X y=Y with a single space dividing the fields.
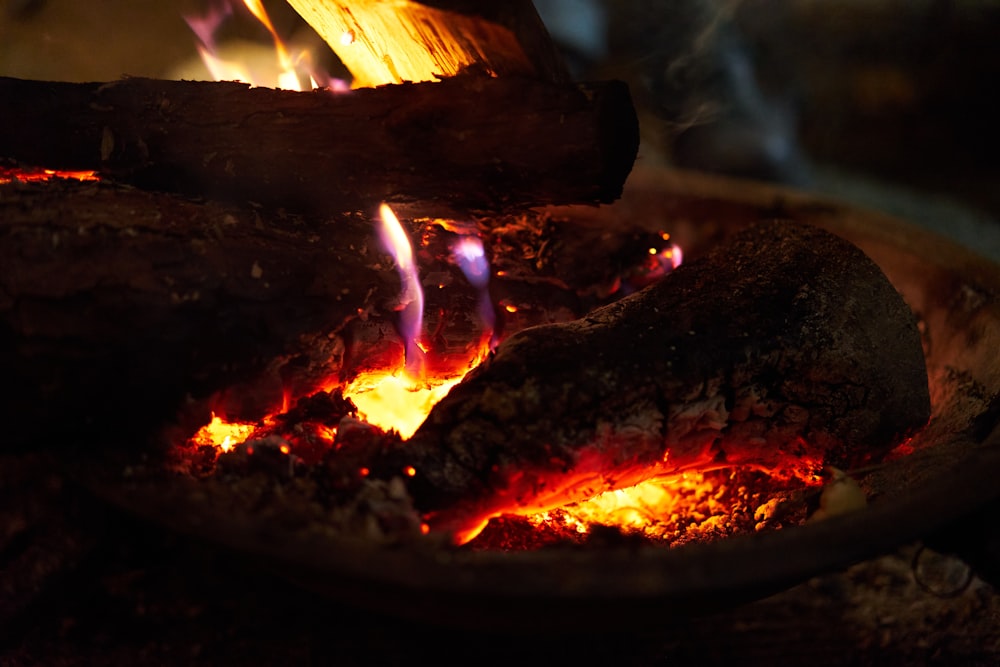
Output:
x=953 y=472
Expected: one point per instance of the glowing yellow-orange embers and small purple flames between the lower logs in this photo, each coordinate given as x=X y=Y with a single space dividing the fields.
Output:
x=685 y=506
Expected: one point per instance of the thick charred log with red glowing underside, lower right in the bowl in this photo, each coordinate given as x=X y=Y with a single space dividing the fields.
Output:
x=787 y=349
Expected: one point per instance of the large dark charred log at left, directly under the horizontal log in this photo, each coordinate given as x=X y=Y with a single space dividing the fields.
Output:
x=118 y=305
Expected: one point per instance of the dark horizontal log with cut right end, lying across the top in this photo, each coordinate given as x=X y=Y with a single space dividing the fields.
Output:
x=469 y=141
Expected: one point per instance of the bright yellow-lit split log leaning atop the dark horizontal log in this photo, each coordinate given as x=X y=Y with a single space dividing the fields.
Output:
x=384 y=42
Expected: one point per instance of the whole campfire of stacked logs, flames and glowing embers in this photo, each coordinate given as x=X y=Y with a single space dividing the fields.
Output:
x=428 y=313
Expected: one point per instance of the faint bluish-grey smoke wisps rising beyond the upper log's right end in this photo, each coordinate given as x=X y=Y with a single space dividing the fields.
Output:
x=694 y=76
